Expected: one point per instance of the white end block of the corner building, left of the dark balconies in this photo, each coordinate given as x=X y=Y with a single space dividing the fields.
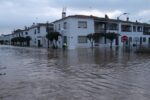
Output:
x=74 y=30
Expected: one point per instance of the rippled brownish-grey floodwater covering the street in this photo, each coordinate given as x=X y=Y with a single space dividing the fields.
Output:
x=81 y=74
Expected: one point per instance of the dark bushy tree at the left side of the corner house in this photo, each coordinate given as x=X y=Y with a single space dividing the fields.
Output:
x=53 y=37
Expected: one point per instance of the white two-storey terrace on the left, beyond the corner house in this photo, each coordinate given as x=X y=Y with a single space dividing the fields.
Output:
x=36 y=32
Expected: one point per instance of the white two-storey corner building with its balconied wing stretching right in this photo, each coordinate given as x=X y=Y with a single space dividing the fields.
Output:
x=74 y=30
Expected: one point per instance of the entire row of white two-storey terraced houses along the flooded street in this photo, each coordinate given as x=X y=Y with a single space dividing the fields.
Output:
x=74 y=30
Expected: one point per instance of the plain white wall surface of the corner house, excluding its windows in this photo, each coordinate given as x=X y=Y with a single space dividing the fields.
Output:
x=72 y=32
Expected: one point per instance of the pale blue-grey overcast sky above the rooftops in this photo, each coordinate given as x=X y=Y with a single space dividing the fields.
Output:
x=19 y=13
